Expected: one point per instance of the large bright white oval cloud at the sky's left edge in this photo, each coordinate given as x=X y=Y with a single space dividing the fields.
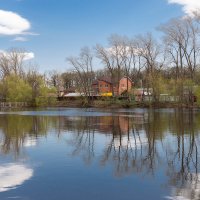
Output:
x=12 y=23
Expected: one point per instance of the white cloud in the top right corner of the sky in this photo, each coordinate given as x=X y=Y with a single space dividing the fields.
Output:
x=189 y=6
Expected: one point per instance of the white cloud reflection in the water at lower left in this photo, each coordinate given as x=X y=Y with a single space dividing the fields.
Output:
x=13 y=175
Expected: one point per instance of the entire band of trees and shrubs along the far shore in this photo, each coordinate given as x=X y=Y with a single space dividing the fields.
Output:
x=164 y=66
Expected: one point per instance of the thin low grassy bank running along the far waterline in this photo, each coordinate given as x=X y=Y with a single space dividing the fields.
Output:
x=111 y=103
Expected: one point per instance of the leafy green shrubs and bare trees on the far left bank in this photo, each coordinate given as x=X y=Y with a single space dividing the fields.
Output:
x=20 y=81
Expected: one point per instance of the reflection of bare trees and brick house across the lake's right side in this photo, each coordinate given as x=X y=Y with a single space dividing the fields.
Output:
x=144 y=143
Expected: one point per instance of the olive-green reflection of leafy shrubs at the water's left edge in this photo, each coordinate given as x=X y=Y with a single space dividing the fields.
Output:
x=17 y=131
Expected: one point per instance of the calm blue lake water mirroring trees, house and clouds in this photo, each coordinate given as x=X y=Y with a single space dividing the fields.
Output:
x=91 y=154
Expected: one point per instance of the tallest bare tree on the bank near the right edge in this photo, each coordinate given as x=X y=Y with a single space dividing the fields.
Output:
x=181 y=37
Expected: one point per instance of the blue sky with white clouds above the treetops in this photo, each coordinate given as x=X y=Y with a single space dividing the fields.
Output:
x=51 y=30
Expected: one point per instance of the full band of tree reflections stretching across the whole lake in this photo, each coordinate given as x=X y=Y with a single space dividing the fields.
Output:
x=137 y=143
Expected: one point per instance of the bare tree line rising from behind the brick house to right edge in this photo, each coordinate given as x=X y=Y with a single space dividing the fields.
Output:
x=165 y=65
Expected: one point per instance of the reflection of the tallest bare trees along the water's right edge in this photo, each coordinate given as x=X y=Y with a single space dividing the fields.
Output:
x=183 y=164
